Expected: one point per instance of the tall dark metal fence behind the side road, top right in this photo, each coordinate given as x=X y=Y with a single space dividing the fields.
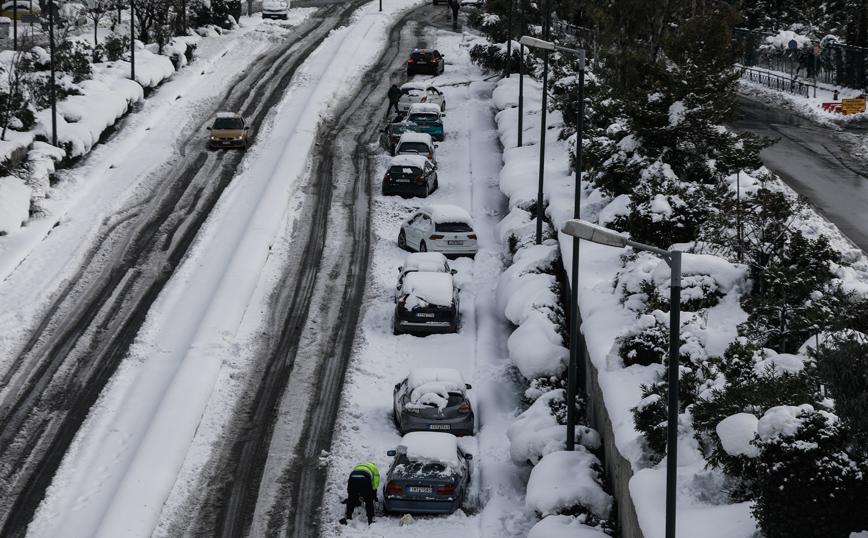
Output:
x=837 y=65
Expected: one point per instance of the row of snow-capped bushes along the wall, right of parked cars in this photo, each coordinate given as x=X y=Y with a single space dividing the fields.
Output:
x=561 y=482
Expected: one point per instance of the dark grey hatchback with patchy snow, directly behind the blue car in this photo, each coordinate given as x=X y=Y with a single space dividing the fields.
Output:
x=433 y=399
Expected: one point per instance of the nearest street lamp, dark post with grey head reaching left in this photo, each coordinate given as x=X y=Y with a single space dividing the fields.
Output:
x=603 y=236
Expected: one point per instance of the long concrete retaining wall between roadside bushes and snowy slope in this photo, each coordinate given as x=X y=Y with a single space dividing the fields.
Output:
x=618 y=470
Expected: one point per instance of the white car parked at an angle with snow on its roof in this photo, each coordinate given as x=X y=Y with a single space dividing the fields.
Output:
x=439 y=228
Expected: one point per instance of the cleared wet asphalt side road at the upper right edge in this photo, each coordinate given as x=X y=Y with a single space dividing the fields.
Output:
x=811 y=160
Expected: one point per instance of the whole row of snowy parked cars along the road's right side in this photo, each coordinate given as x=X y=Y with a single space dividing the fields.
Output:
x=430 y=473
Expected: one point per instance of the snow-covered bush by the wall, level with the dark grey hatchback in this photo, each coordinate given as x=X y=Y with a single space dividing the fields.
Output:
x=537 y=433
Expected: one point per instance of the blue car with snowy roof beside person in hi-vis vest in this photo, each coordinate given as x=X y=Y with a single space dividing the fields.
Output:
x=429 y=475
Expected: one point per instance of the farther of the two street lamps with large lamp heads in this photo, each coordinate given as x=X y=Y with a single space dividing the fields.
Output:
x=575 y=341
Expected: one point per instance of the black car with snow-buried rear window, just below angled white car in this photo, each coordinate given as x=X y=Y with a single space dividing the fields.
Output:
x=427 y=303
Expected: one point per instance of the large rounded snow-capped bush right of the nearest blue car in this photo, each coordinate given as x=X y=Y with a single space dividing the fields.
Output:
x=568 y=482
